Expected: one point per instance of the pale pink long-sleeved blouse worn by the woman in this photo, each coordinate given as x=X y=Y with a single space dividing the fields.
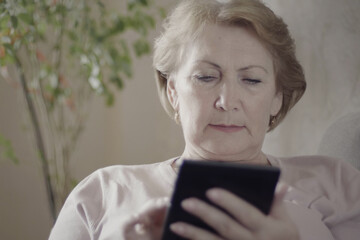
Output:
x=323 y=200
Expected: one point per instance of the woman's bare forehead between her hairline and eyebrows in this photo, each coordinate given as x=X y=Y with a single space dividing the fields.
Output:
x=228 y=45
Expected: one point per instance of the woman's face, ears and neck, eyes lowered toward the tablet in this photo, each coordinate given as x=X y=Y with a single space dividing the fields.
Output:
x=225 y=93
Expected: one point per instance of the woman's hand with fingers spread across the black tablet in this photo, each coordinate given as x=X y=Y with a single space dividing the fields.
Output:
x=248 y=222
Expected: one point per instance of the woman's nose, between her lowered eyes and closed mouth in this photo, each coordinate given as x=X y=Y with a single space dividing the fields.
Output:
x=229 y=98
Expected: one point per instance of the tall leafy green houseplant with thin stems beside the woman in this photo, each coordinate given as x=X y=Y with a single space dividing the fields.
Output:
x=59 y=53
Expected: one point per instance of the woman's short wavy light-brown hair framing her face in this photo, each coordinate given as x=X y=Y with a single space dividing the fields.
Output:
x=186 y=23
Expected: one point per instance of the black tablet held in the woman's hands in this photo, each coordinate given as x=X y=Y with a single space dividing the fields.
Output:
x=253 y=183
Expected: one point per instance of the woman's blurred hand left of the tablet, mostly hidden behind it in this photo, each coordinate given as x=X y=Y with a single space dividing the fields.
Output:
x=148 y=223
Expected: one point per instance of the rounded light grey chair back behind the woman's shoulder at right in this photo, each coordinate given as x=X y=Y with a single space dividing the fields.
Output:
x=342 y=139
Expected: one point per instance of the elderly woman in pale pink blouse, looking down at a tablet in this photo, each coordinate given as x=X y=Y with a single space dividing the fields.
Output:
x=227 y=73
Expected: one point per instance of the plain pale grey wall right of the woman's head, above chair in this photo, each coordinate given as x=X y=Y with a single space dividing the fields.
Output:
x=327 y=34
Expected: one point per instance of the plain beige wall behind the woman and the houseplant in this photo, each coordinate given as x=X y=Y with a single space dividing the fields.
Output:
x=137 y=130
